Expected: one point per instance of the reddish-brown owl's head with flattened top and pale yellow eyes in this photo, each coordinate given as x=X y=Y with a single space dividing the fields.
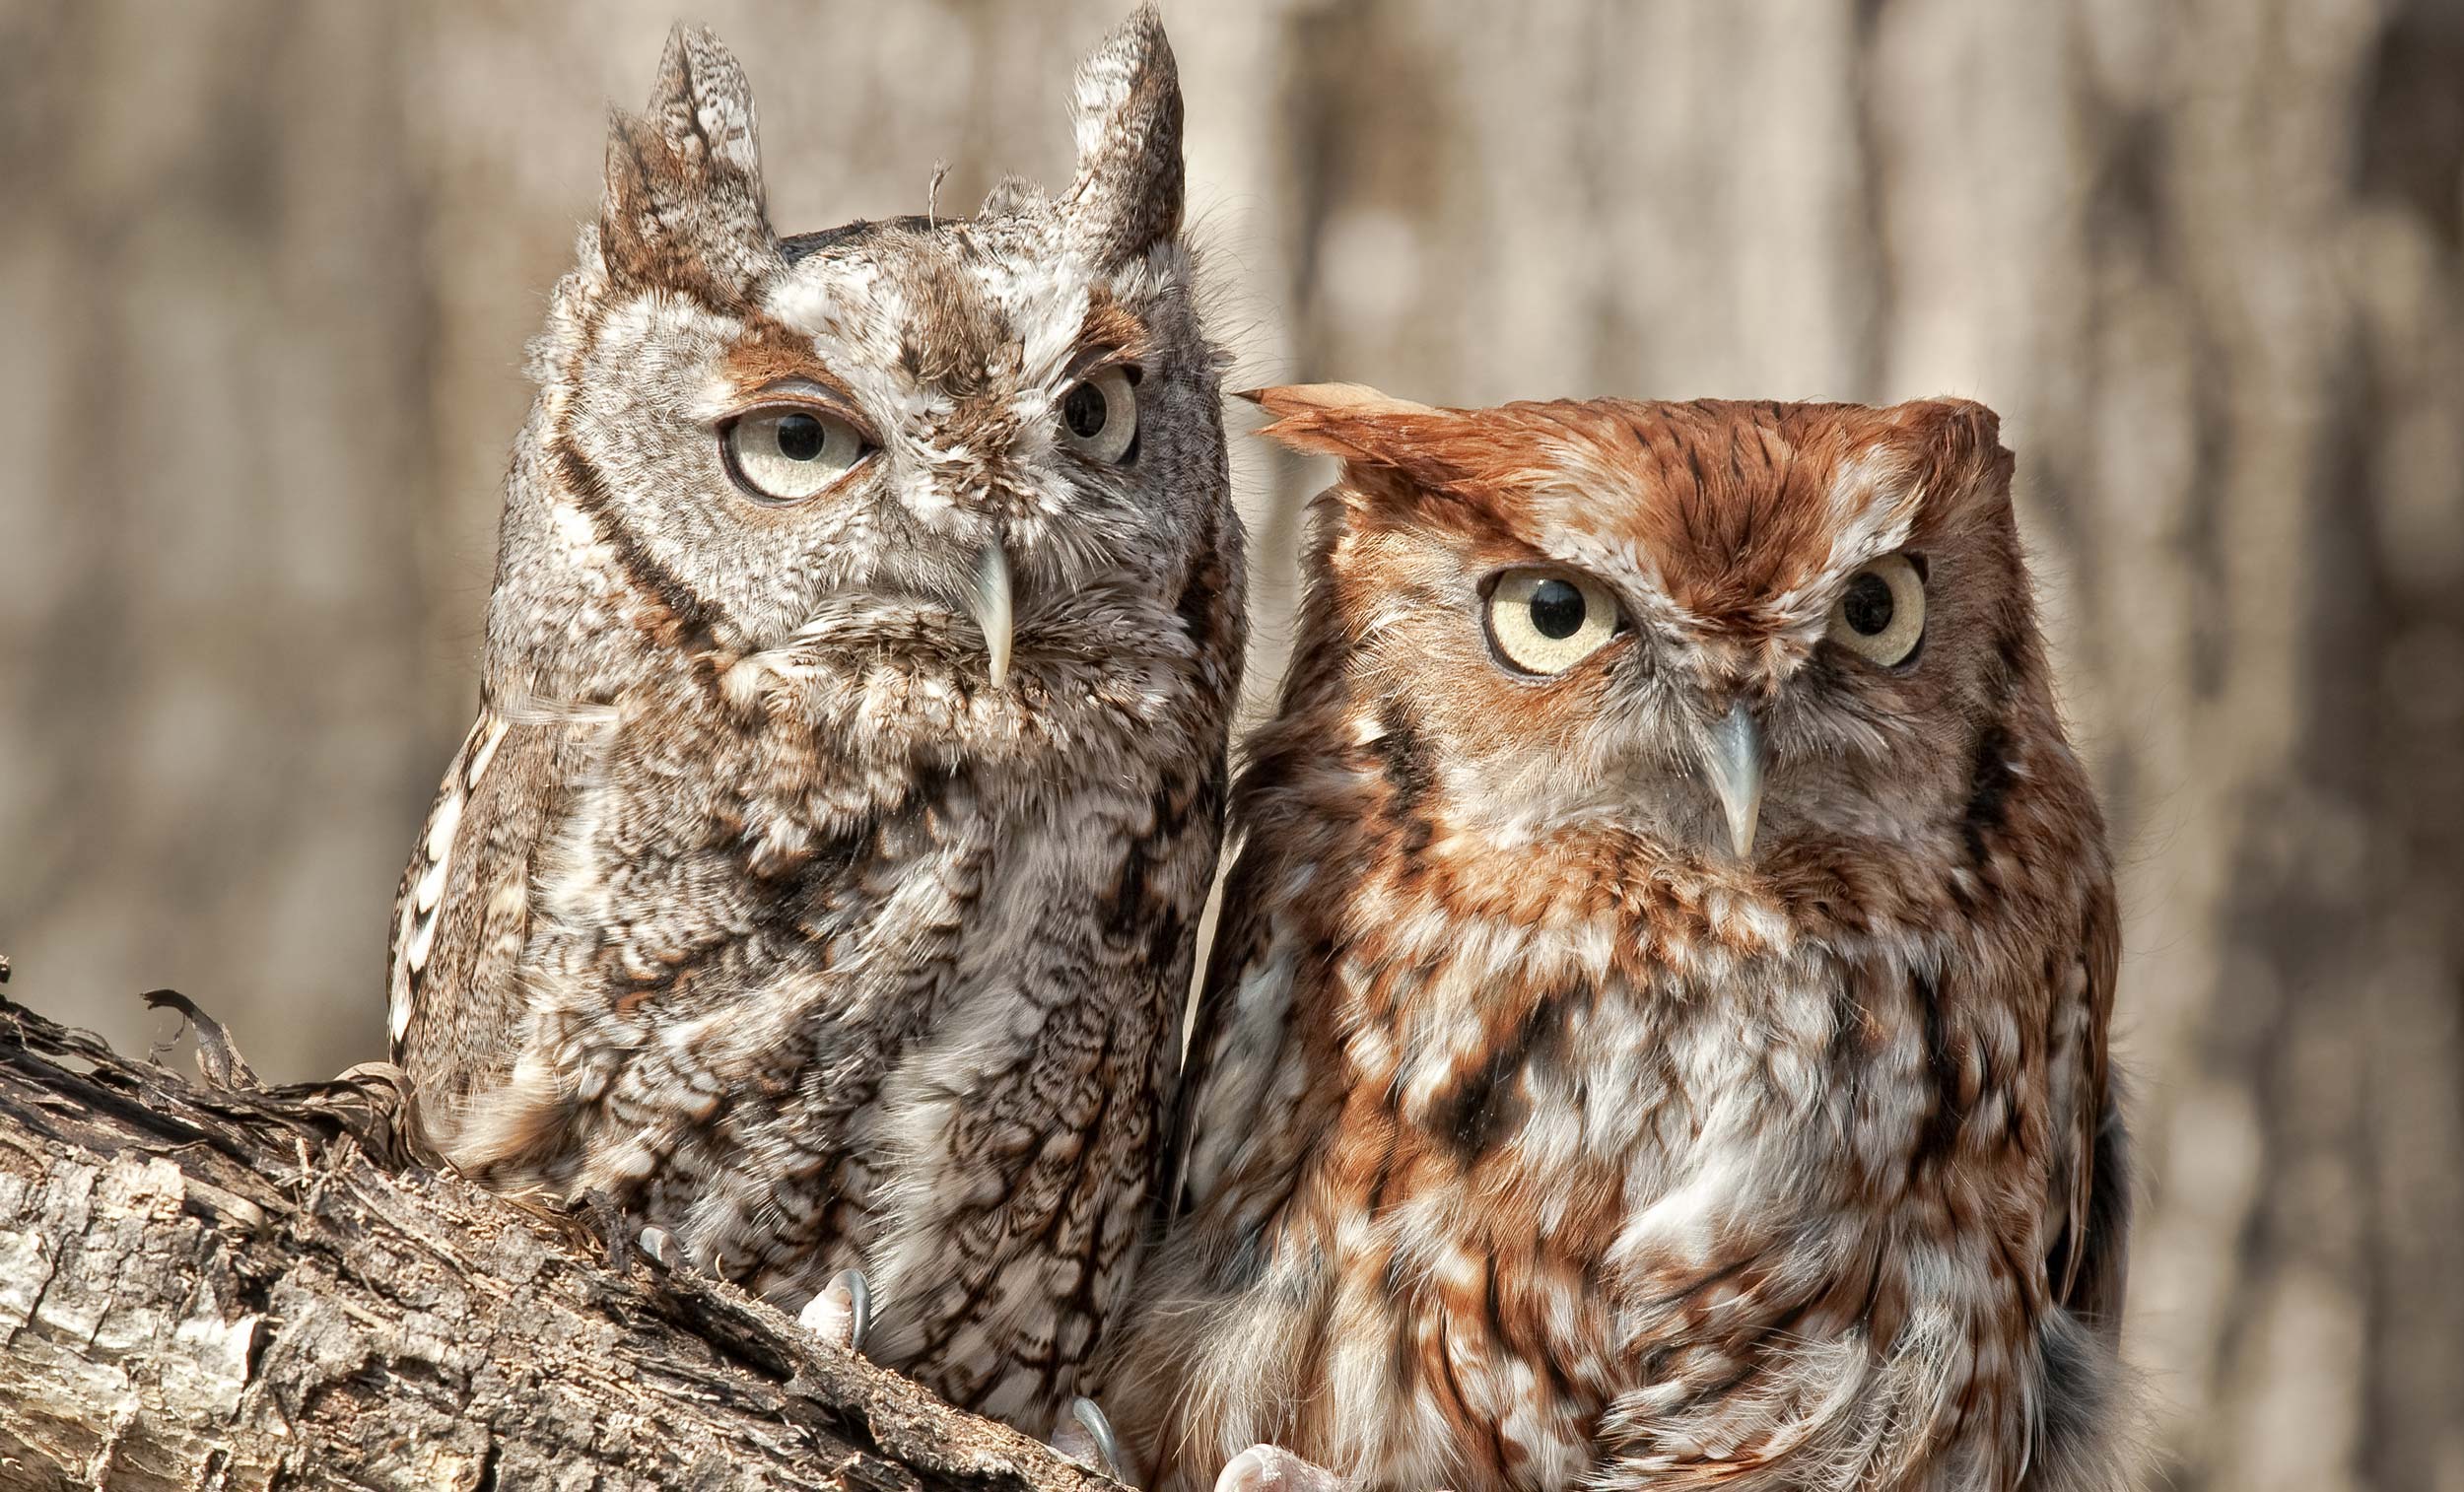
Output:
x=1724 y=627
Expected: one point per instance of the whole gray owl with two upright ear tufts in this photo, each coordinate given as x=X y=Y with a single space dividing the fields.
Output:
x=822 y=875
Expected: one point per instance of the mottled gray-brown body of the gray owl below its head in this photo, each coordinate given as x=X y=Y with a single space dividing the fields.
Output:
x=814 y=1008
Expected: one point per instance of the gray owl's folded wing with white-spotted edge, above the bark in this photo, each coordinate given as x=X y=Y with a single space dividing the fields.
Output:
x=464 y=912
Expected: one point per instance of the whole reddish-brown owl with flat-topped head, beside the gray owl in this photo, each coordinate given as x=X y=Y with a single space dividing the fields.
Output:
x=1657 y=1035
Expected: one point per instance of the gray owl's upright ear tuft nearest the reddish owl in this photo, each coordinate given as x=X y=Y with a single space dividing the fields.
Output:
x=1127 y=119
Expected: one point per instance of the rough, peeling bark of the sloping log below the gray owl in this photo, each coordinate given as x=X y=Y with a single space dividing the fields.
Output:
x=250 y=1289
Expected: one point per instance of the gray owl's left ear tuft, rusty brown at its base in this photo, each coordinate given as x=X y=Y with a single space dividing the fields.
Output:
x=684 y=196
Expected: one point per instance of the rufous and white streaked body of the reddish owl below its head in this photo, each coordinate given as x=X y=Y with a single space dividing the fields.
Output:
x=1595 y=1161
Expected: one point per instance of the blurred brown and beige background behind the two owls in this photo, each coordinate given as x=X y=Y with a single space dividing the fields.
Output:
x=267 y=272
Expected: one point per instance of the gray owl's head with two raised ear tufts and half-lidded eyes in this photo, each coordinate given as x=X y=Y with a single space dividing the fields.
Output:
x=945 y=452
